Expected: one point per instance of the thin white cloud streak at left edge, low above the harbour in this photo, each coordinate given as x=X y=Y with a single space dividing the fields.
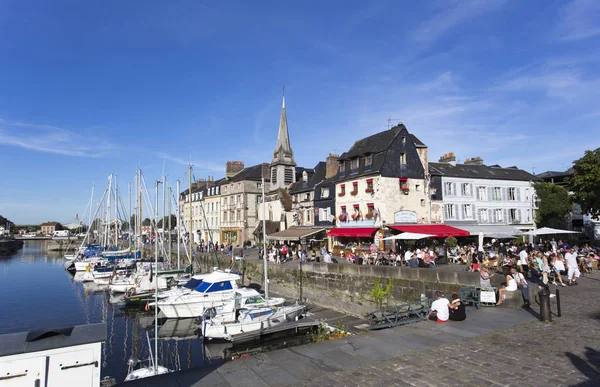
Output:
x=51 y=139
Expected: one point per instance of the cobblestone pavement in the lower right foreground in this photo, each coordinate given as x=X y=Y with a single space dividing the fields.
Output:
x=565 y=352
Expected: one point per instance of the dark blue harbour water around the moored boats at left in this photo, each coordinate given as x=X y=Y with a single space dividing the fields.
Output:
x=37 y=293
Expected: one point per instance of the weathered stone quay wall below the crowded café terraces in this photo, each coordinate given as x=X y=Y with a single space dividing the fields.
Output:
x=349 y=288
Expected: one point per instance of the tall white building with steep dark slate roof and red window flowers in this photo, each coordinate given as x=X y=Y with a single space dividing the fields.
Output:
x=382 y=180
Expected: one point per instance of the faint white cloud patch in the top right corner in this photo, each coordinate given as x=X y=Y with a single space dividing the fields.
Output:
x=579 y=20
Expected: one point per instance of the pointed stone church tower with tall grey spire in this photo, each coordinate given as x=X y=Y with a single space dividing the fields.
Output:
x=283 y=166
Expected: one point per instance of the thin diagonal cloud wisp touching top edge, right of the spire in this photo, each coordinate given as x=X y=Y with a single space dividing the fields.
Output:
x=453 y=14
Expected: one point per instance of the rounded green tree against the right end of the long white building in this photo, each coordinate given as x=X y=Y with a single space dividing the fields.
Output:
x=554 y=204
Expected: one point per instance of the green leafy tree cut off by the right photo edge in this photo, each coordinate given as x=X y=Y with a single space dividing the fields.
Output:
x=585 y=182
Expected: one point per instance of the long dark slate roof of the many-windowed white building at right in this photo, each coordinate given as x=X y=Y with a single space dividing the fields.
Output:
x=479 y=172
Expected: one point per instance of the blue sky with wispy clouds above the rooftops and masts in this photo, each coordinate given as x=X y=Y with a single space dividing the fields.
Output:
x=93 y=88
